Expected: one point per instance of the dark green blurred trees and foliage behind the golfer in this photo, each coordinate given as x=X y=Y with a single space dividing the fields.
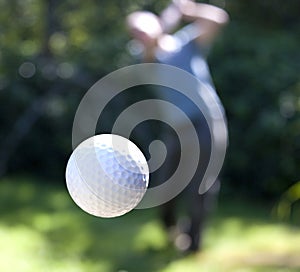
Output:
x=52 y=51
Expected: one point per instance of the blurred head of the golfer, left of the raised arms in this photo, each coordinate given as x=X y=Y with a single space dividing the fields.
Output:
x=144 y=26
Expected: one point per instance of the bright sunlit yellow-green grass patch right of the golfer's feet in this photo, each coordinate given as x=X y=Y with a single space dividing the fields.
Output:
x=235 y=246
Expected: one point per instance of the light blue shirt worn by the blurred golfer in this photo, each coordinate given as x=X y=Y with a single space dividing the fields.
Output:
x=182 y=51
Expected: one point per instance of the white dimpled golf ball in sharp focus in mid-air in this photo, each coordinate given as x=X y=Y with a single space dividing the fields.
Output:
x=107 y=175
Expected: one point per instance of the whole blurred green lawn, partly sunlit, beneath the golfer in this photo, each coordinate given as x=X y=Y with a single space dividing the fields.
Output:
x=41 y=229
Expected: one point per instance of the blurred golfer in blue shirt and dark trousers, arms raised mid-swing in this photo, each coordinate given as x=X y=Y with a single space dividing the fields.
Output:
x=186 y=49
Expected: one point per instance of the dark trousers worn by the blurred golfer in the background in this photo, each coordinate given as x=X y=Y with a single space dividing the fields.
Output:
x=196 y=206
